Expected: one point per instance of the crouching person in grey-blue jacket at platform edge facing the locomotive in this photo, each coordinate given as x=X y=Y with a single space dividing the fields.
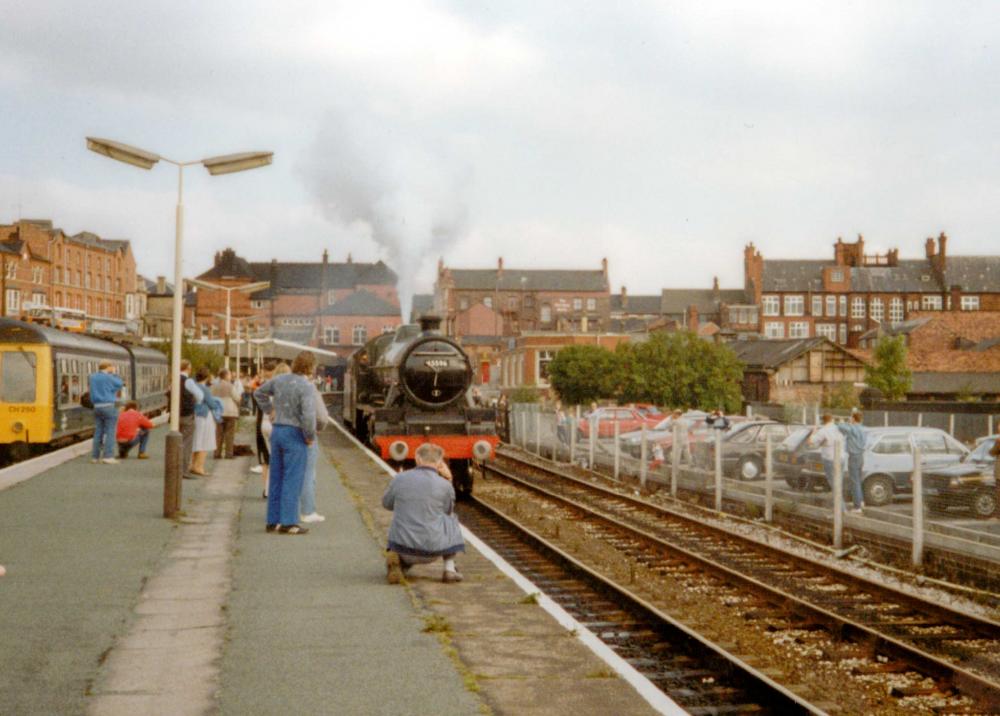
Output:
x=424 y=525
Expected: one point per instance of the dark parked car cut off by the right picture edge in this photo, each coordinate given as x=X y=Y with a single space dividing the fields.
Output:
x=969 y=483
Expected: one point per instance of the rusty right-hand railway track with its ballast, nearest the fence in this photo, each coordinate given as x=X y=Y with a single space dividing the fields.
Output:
x=865 y=629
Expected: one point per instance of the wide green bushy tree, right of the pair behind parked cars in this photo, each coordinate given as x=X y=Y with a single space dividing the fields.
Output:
x=681 y=370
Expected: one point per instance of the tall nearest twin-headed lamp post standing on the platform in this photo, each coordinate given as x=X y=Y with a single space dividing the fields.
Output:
x=173 y=464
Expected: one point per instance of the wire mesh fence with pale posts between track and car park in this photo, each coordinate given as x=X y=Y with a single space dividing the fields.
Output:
x=924 y=508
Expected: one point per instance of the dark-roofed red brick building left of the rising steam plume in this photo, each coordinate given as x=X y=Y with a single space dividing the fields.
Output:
x=335 y=306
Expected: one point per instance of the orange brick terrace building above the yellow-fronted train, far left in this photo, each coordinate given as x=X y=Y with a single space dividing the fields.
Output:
x=42 y=266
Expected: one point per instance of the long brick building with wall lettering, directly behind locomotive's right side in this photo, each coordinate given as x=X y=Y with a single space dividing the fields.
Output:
x=519 y=300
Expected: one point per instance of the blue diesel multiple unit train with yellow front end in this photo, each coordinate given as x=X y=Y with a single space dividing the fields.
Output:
x=45 y=371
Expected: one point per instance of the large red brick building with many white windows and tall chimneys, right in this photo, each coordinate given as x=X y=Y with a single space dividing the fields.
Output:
x=854 y=292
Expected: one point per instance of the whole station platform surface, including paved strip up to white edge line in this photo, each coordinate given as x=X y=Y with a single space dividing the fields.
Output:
x=107 y=608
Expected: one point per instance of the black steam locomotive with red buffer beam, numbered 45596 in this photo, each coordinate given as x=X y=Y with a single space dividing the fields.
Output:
x=406 y=388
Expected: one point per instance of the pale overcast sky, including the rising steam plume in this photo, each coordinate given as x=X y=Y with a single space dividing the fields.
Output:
x=661 y=135
